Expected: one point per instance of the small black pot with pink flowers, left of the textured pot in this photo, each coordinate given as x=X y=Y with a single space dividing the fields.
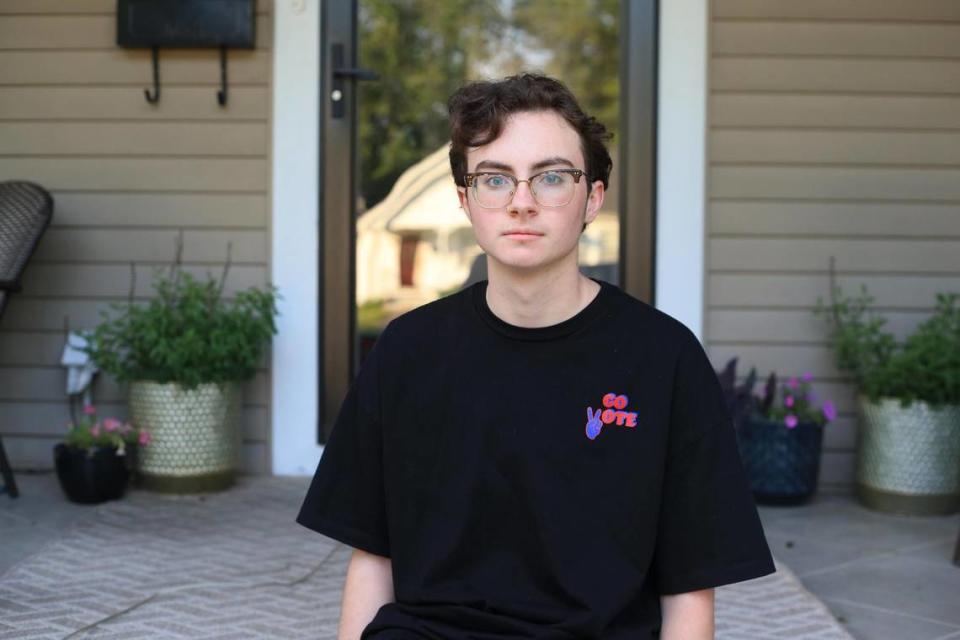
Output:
x=94 y=462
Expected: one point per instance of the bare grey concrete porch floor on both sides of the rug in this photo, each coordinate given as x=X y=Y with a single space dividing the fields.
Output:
x=883 y=577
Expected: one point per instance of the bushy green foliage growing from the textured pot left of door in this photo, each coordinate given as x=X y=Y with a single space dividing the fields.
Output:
x=187 y=333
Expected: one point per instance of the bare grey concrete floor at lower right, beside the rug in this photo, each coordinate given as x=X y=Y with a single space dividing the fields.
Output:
x=885 y=577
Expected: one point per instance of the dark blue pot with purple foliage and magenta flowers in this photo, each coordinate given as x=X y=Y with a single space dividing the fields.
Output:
x=779 y=435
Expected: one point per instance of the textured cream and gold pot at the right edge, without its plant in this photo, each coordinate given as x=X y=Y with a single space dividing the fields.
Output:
x=908 y=459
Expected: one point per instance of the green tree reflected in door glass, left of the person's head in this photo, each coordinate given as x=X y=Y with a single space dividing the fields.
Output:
x=423 y=50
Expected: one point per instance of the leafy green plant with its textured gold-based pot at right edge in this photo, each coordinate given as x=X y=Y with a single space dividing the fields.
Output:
x=908 y=396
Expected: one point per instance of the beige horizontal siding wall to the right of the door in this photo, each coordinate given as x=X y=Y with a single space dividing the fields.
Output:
x=834 y=130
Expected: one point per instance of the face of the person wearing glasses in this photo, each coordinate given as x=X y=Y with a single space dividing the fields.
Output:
x=531 y=142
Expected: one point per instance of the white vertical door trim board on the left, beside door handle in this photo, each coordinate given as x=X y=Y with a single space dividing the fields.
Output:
x=294 y=247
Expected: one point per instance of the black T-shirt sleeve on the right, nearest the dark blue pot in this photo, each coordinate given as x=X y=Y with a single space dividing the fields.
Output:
x=709 y=533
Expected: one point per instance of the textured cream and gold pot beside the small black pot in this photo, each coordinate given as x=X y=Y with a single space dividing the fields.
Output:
x=195 y=435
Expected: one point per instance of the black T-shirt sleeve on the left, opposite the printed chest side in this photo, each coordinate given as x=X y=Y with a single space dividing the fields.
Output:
x=345 y=500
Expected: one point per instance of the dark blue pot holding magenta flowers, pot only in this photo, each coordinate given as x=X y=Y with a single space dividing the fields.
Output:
x=781 y=464
